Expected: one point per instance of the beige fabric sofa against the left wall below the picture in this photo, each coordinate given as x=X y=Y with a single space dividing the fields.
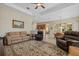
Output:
x=15 y=37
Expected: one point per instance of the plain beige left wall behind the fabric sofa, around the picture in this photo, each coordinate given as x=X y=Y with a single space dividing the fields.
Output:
x=7 y=14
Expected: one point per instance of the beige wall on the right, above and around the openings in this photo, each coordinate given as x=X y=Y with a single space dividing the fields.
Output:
x=74 y=21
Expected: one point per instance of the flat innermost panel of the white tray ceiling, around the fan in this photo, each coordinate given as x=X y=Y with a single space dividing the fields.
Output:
x=32 y=7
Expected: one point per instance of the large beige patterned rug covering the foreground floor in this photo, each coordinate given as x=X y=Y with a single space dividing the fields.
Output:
x=34 y=48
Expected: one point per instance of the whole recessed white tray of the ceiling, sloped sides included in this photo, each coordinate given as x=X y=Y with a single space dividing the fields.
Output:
x=40 y=11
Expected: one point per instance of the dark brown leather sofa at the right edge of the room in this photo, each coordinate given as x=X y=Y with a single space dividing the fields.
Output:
x=67 y=39
